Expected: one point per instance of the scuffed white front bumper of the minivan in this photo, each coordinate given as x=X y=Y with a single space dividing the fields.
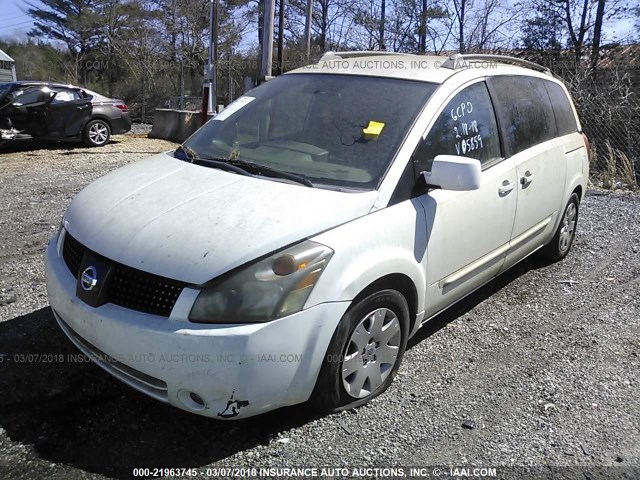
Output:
x=220 y=371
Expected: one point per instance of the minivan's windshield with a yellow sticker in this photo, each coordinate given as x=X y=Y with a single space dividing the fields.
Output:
x=335 y=130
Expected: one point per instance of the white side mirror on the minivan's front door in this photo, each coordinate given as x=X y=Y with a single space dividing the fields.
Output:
x=451 y=172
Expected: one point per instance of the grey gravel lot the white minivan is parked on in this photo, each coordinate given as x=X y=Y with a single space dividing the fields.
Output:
x=545 y=361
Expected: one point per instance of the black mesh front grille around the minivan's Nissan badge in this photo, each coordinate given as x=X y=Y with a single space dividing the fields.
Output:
x=128 y=287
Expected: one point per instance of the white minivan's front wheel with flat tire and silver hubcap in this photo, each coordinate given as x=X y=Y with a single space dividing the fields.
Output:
x=363 y=359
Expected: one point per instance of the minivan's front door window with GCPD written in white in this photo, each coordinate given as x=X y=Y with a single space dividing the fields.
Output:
x=465 y=127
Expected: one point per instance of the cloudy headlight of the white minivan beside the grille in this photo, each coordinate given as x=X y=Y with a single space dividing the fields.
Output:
x=271 y=288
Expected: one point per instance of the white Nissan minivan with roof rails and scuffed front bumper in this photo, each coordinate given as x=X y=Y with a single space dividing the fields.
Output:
x=290 y=247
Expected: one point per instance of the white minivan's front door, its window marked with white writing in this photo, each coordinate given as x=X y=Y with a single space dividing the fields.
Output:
x=468 y=232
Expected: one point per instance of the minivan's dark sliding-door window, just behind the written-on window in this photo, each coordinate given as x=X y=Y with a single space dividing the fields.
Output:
x=525 y=111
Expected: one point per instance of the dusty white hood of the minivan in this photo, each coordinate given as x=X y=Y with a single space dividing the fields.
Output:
x=193 y=223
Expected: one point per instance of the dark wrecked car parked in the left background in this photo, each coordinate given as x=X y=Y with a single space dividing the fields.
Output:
x=53 y=111
